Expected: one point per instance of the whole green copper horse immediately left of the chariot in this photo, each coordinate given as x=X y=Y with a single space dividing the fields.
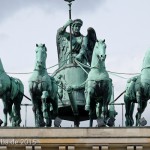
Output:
x=43 y=89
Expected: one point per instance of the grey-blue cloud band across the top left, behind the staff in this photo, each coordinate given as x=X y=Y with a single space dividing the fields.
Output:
x=9 y=8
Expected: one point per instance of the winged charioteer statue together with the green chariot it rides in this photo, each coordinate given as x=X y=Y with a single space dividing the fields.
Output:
x=79 y=48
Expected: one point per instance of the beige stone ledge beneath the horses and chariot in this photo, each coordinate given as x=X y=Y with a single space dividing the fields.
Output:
x=75 y=138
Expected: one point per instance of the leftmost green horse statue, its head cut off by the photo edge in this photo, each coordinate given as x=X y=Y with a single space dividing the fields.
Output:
x=11 y=93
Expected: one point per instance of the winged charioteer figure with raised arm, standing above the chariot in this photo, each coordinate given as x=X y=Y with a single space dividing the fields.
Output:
x=82 y=46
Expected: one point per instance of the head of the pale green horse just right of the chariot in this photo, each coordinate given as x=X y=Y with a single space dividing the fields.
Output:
x=100 y=50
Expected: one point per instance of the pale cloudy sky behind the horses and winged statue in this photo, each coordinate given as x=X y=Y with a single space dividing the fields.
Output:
x=124 y=24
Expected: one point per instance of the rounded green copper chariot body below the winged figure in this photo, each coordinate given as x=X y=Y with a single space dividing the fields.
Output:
x=71 y=102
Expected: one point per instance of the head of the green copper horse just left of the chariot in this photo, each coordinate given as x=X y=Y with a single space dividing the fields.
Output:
x=41 y=55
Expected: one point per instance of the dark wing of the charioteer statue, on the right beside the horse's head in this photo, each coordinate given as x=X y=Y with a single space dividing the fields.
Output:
x=91 y=37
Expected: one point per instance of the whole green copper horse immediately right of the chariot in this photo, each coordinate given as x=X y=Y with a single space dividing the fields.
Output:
x=98 y=88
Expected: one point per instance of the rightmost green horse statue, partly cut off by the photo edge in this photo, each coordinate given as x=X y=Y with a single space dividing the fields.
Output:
x=138 y=91
